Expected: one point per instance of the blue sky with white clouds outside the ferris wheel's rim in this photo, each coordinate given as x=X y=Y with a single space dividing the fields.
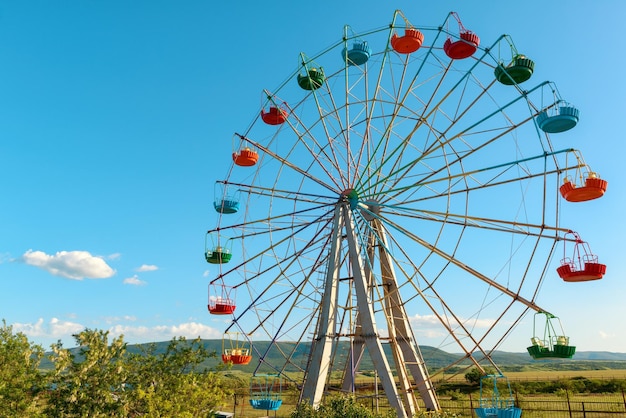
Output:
x=117 y=117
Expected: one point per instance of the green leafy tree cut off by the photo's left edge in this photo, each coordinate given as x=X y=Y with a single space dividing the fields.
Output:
x=20 y=379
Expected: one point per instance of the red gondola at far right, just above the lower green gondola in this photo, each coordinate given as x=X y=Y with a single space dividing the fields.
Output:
x=583 y=266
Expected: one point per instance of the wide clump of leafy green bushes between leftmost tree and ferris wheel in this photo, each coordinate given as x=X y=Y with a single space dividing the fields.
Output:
x=103 y=380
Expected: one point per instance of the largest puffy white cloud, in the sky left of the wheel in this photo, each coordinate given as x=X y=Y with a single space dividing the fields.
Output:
x=76 y=265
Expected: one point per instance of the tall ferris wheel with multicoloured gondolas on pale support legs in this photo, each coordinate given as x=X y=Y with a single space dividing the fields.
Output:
x=398 y=190
